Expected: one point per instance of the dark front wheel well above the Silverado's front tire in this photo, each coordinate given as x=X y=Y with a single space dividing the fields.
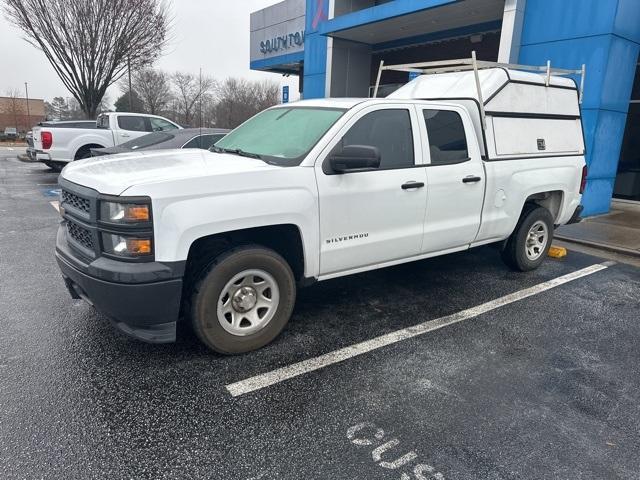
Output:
x=284 y=239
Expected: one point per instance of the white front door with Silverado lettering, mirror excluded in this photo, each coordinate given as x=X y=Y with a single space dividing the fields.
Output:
x=372 y=217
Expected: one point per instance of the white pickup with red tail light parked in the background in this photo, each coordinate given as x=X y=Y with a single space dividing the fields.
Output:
x=56 y=146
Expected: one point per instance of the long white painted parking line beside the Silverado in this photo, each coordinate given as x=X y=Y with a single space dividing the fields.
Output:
x=281 y=374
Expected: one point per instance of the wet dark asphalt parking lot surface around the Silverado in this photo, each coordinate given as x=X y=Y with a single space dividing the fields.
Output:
x=542 y=381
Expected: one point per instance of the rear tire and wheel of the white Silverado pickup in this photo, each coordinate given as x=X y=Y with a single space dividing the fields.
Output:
x=529 y=243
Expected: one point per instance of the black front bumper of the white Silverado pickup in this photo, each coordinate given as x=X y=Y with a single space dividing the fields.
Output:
x=141 y=300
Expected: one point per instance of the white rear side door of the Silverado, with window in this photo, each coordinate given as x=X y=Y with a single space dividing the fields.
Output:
x=455 y=178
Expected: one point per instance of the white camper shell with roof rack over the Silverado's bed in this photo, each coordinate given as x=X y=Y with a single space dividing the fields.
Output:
x=516 y=113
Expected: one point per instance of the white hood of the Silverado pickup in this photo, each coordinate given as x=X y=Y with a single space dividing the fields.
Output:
x=114 y=174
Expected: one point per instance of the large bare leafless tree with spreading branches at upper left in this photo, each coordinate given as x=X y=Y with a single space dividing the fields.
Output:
x=90 y=43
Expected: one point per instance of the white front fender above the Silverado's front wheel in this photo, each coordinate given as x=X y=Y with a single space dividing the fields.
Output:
x=179 y=222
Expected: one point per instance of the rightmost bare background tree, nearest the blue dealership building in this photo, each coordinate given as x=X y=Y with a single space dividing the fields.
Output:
x=239 y=99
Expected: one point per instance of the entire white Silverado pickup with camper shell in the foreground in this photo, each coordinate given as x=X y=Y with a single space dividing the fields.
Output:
x=316 y=190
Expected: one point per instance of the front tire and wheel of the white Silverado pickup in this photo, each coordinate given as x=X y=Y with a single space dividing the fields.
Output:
x=230 y=309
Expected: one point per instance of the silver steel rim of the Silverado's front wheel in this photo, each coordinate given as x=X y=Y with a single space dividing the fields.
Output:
x=248 y=302
